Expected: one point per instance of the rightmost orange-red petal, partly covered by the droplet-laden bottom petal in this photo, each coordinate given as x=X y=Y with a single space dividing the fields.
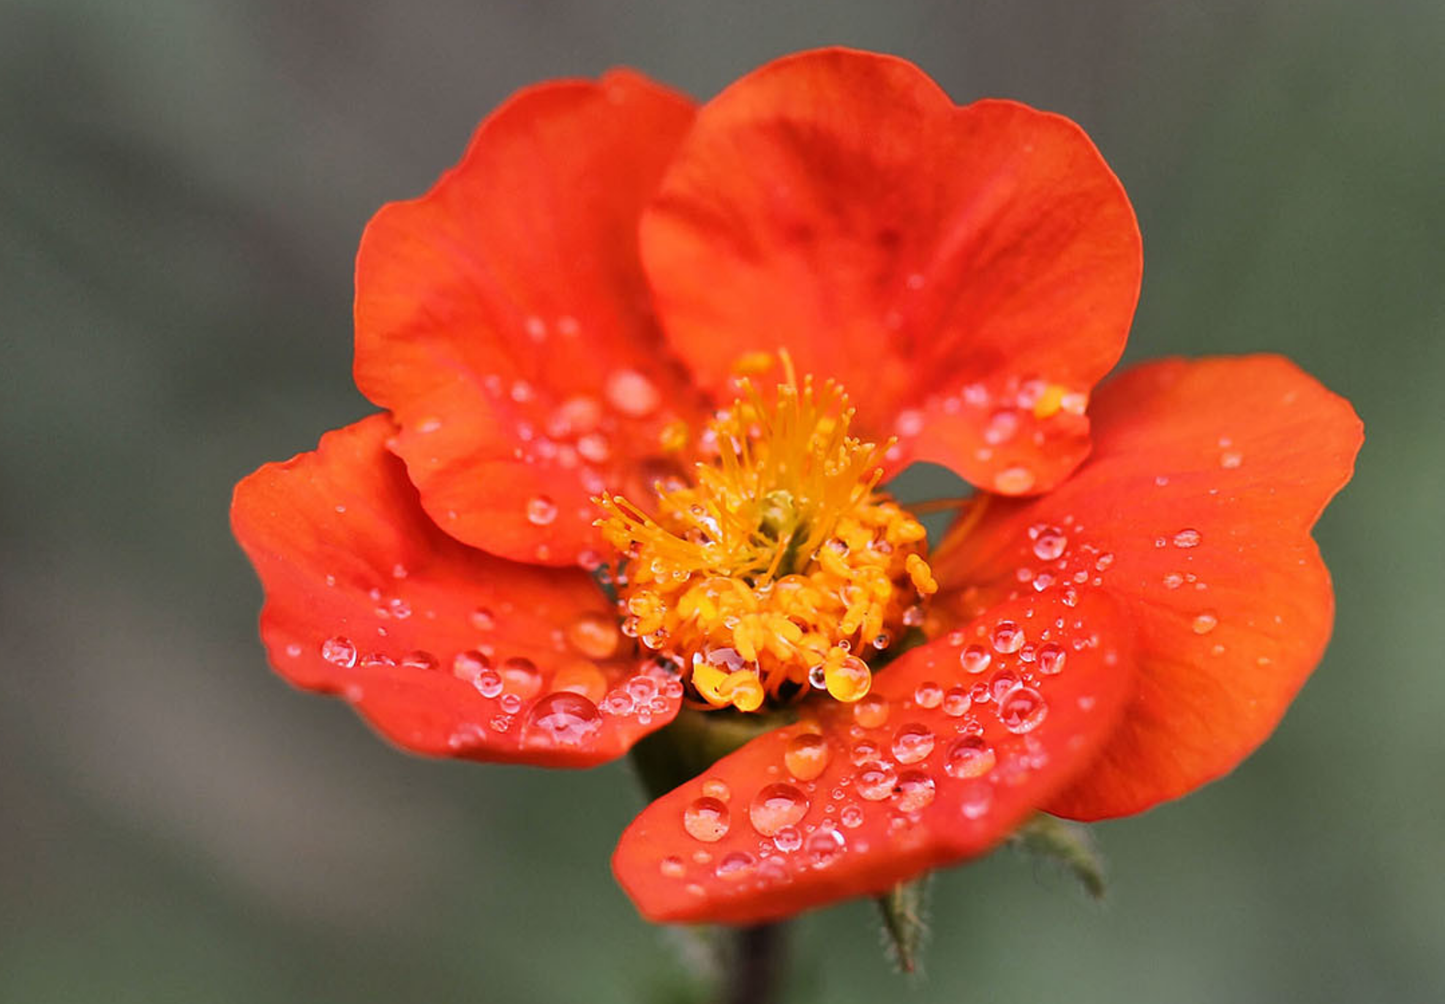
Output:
x=1194 y=515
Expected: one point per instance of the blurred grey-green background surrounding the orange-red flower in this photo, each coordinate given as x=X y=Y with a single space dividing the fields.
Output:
x=181 y=190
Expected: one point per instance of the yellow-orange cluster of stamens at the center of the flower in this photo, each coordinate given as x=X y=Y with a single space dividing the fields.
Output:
x=782 y=563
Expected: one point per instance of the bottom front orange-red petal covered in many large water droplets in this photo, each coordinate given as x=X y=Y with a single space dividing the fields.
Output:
x=923 y=772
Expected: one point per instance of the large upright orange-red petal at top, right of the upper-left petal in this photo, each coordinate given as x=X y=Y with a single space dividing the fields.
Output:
x=967 y=272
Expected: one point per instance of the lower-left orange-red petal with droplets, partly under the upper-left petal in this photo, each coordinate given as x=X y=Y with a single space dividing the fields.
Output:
x=447 y=651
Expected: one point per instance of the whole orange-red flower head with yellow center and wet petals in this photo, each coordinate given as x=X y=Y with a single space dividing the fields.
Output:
x=1122 y=615
